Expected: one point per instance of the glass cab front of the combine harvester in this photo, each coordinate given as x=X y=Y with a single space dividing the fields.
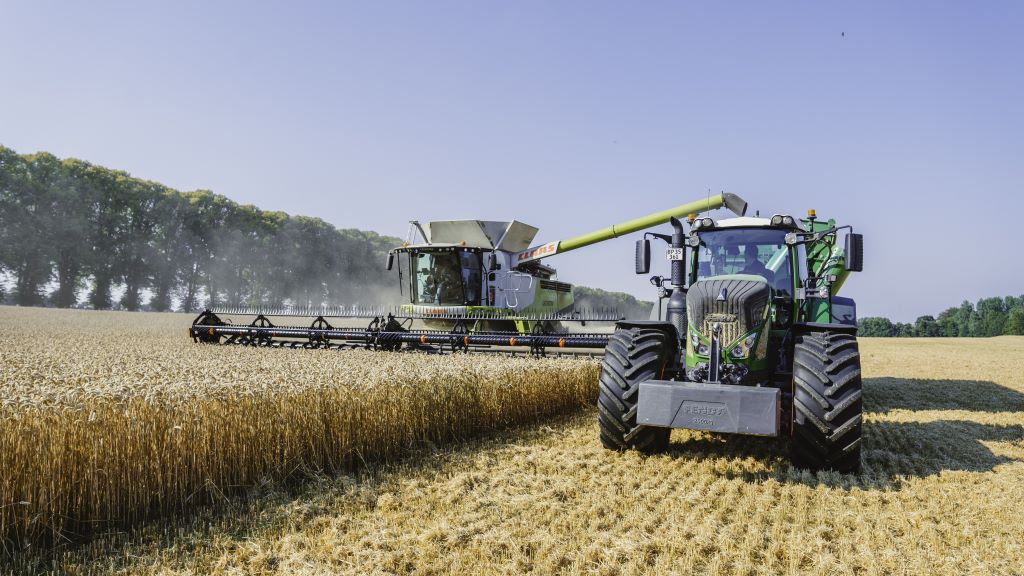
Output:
x=450 y=278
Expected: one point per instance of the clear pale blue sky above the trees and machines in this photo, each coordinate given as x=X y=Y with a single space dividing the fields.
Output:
x=903 y=119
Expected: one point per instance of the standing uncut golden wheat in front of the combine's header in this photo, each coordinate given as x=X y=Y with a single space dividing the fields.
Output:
x=110 y=419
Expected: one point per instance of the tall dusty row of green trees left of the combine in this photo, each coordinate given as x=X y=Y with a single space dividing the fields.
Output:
x=76 y=234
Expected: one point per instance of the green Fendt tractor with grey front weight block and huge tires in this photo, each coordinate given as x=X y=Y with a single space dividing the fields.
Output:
x=748 y=338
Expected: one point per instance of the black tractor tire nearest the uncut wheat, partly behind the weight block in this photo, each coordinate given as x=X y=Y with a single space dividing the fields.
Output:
x=633 y=356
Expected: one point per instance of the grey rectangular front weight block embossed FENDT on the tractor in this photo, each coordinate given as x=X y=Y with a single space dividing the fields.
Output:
x=711 y=407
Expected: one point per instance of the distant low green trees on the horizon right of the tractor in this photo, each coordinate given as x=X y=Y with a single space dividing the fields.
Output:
x=991 y=317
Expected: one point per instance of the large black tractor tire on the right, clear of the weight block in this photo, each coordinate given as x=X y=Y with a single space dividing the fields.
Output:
x=827 y=404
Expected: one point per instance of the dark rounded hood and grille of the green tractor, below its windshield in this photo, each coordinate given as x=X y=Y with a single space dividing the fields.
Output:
x=739 y=303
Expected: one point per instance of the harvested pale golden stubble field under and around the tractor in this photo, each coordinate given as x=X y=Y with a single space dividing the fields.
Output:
x=941 y=493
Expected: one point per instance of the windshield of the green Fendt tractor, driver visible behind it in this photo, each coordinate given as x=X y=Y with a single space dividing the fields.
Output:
x=755 y=252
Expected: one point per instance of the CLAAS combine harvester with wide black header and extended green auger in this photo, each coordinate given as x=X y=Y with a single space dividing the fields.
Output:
x=474 y=284
